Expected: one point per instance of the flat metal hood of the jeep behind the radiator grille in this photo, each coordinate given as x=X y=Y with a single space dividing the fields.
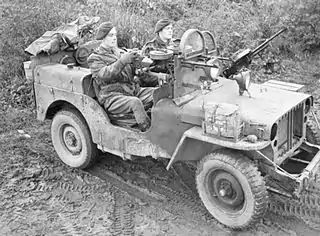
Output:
x=265 y=106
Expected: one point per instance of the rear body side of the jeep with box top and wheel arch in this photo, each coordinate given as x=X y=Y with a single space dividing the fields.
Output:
x=57 y=85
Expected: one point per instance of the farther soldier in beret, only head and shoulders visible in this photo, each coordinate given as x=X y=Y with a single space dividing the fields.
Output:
x=164 y=32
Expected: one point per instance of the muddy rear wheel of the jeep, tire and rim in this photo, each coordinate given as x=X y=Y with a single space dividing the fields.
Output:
x=72 y=140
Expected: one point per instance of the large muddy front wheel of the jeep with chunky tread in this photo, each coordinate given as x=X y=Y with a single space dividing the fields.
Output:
x=231 y=188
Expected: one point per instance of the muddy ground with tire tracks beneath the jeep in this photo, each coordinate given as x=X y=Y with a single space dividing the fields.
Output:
x=41 y=196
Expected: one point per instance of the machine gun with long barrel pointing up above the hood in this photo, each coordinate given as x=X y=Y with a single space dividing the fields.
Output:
x=244 y=57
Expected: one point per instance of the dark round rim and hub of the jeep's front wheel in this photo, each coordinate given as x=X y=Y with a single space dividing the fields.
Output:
x=227 y=190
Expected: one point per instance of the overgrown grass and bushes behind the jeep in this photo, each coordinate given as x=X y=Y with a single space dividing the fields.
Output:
x=235 y=23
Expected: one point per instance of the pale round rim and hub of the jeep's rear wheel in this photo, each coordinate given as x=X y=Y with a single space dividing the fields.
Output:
x=72 y=140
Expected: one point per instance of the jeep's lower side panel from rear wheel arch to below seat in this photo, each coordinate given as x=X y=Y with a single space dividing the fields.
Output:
x=109 y=138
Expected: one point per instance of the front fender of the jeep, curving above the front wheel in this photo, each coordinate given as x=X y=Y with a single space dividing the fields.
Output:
x=188 y=147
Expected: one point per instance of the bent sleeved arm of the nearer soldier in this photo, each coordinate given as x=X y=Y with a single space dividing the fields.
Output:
x=103 y=71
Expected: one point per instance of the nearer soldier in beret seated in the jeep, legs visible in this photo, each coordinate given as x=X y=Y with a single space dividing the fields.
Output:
x=113 y=72
